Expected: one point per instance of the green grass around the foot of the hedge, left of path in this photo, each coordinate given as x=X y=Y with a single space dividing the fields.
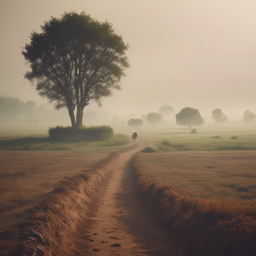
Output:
x=35 y=138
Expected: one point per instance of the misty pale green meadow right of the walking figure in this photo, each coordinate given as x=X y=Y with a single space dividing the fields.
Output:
x=230 y=136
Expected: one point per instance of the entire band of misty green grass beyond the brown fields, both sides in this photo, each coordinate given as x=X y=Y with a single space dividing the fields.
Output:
x=172 y=137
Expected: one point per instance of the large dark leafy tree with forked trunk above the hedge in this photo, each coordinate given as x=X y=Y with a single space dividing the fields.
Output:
x=75 y=60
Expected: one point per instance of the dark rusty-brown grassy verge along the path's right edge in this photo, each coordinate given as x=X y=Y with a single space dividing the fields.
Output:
x=203 y=227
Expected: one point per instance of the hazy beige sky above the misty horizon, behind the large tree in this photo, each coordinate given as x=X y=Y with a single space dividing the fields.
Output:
x=196 y=53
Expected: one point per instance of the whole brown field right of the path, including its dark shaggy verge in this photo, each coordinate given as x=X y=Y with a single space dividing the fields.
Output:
x=188 y=193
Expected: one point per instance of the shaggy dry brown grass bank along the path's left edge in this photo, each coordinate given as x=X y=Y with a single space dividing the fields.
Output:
x=55 y=225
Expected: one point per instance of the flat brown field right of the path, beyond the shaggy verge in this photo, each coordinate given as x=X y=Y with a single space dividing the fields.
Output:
x=229 y=175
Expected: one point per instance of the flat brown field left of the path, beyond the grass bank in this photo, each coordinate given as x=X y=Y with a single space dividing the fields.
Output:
x=26 y=177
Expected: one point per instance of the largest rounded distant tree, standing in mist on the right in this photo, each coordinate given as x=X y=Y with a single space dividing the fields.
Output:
x=189 y=117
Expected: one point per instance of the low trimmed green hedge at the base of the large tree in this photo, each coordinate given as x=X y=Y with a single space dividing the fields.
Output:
x=69 y=134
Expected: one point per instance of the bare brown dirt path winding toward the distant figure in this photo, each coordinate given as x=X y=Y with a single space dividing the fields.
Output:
x=121 y=226
